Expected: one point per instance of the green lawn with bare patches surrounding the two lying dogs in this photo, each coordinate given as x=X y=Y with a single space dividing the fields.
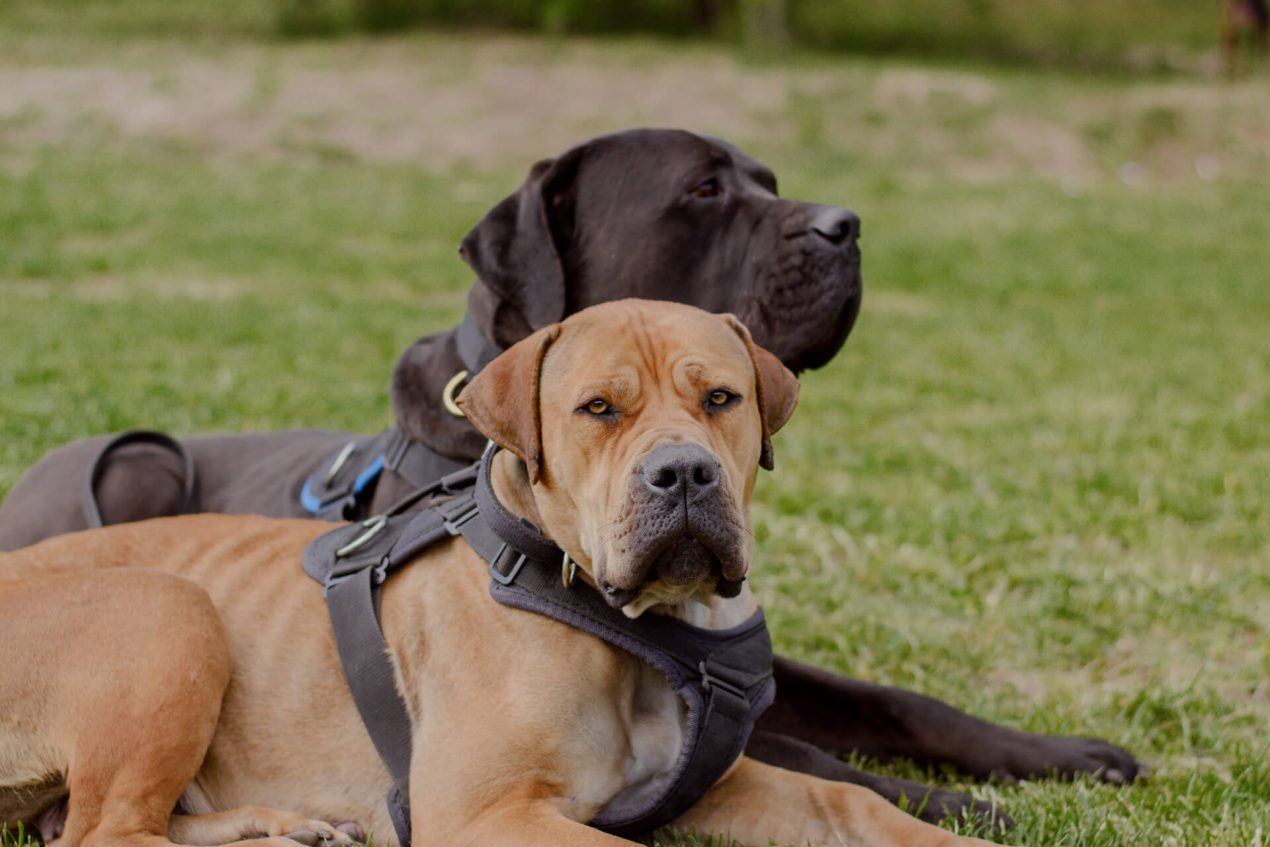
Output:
x=1036 y=483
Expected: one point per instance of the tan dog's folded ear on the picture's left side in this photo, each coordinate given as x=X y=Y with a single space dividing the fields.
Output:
x=502 y=402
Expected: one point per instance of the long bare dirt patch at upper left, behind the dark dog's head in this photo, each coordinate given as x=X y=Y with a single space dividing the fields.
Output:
x=380 y=103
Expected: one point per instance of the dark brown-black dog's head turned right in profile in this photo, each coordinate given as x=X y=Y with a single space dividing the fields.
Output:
x=667 y=215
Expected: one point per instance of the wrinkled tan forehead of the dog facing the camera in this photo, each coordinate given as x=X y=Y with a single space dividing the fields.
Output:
x=641 y=349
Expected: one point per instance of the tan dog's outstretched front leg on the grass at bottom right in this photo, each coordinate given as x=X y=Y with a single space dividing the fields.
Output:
x=760 y=804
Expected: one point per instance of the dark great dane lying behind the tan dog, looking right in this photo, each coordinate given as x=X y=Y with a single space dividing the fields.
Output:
x=642 y=214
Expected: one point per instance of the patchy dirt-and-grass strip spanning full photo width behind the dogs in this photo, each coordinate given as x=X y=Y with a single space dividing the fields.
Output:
x=446 y=105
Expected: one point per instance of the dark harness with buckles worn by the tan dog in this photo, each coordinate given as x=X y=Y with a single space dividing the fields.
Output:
x=725 y=677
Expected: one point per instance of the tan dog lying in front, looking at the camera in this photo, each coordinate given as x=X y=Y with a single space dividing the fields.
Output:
x=190 y=660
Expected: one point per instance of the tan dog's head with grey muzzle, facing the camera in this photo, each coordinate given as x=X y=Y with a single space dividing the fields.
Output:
x=639 y=429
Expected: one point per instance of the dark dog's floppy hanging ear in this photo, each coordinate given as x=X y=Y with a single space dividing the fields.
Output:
x=516 y=248
